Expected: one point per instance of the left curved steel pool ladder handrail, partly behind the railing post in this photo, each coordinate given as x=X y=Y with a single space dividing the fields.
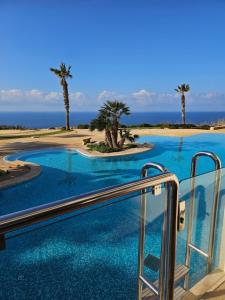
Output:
x=161 y=292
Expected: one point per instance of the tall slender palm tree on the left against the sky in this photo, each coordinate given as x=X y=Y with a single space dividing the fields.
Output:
x=63 y=73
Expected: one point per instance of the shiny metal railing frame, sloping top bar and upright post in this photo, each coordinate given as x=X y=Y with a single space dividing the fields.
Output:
x=48 y=211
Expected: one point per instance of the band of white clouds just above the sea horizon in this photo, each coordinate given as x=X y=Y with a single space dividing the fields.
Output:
x=139 y=100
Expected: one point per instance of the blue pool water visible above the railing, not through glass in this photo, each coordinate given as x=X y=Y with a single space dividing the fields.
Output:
x=66 y=173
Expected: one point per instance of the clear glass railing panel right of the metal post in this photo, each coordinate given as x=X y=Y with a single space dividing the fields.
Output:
x=203 y=200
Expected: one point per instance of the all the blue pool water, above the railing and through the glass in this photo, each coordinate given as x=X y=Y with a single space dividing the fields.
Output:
x=93 y=255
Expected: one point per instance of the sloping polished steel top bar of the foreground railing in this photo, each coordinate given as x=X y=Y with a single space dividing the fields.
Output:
x=44 y=212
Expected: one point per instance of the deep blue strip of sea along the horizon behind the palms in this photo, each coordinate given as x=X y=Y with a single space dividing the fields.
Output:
x=57 y=119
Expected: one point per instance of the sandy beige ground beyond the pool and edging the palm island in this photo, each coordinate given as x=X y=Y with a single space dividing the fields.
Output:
x=74 y=139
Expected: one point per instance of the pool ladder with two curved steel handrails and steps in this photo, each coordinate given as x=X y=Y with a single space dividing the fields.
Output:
x=152 y=290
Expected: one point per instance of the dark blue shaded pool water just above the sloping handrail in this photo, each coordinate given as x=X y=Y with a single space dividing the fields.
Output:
x=53 y=184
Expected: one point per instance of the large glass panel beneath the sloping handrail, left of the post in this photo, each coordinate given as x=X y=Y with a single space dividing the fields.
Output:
x=90 y=254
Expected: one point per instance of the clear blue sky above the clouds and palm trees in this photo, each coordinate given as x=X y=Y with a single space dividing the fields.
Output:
x=116 y=48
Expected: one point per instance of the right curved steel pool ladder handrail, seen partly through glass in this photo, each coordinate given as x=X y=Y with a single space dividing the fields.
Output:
x=209 y=255
